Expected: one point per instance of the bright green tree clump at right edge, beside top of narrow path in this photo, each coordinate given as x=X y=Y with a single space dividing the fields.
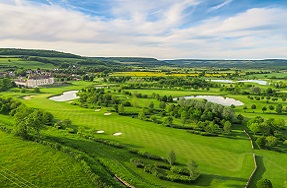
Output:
x=270 y=132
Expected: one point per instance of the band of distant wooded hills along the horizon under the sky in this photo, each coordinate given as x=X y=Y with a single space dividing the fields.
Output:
x=39 y=55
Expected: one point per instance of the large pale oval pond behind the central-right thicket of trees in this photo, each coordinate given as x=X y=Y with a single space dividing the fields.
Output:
x=225 y=101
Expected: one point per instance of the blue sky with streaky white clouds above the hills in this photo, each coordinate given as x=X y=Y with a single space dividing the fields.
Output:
x=163 y=29
